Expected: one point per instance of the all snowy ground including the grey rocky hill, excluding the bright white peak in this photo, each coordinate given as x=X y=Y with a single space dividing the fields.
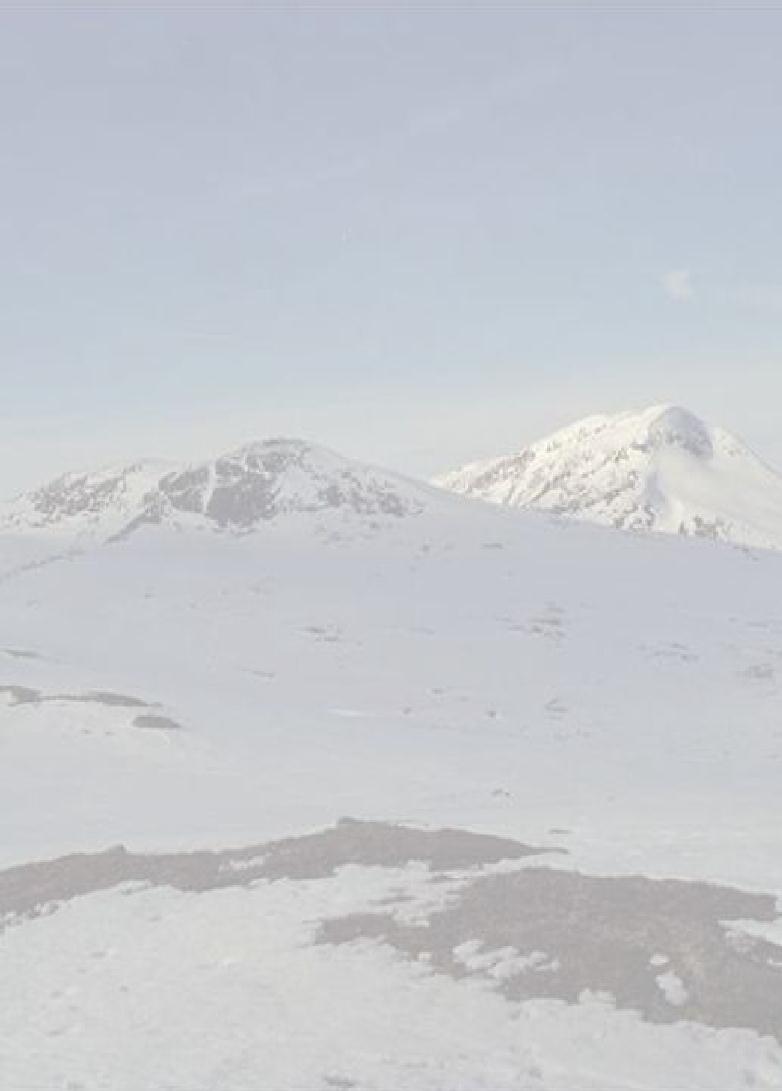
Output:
x=317 y=778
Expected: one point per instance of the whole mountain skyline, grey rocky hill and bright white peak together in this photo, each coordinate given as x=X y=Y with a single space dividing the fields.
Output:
x=661 y=470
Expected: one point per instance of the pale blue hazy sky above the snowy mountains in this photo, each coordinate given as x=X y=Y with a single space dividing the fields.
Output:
x=416 y=238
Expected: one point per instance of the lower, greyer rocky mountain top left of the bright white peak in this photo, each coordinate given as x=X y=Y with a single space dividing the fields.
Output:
x=239 y=491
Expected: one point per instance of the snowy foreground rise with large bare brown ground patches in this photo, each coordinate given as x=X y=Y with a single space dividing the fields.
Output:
x=302 y=969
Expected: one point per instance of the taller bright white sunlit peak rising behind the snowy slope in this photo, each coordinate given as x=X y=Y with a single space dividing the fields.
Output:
x=663 y=470
